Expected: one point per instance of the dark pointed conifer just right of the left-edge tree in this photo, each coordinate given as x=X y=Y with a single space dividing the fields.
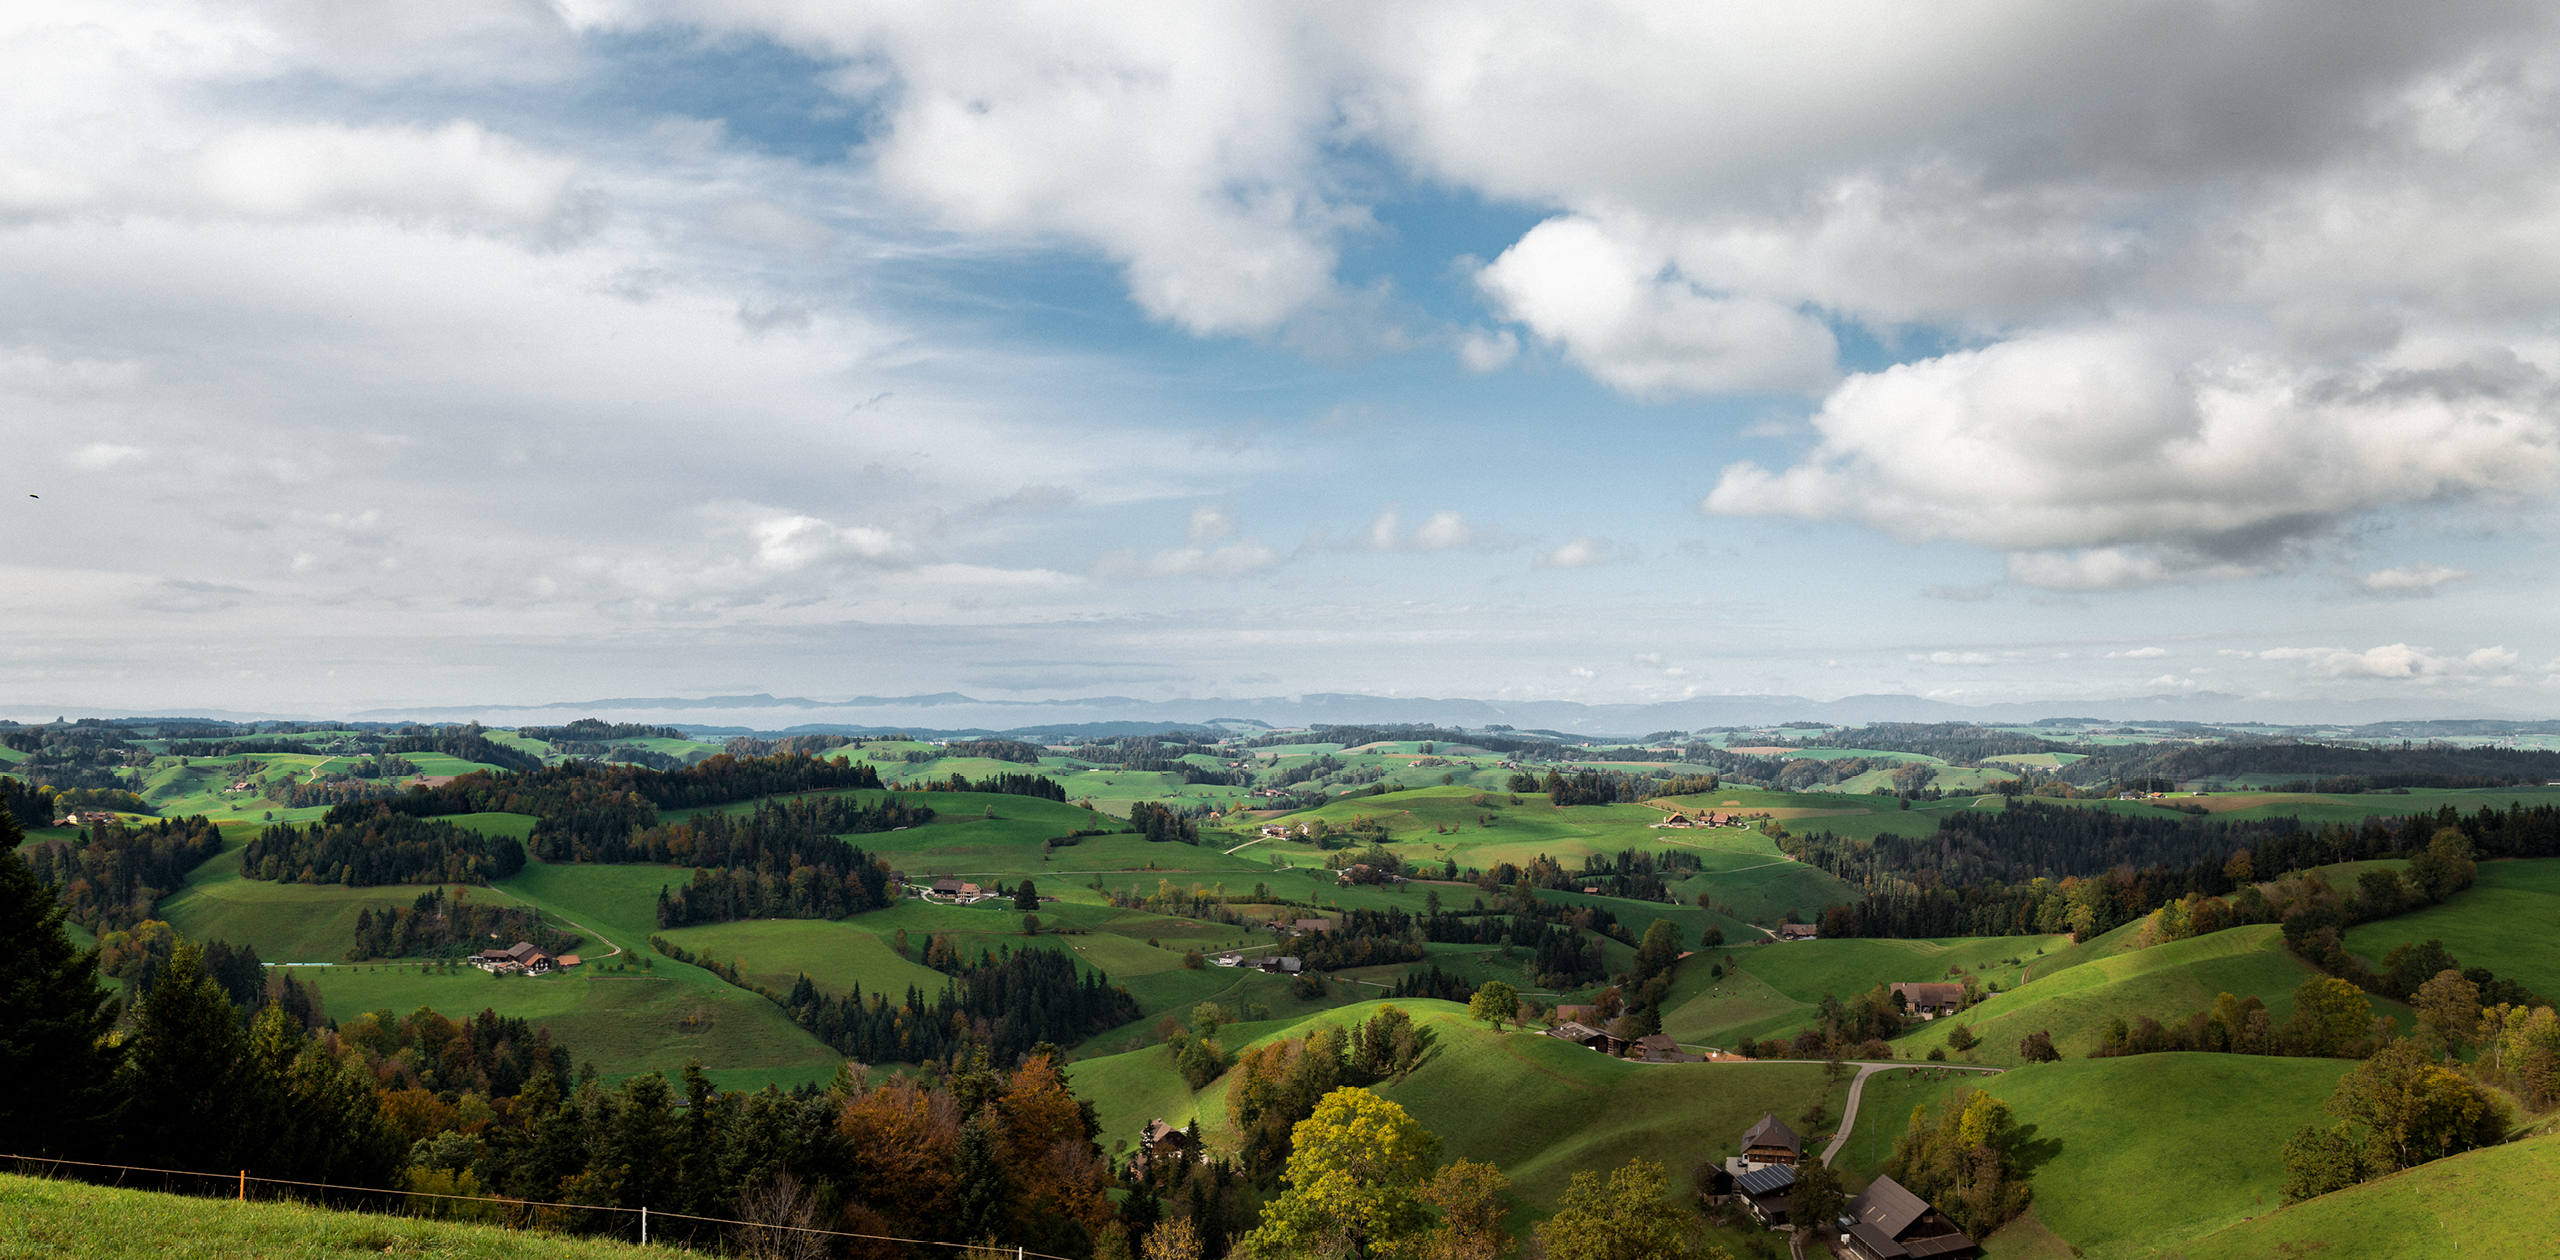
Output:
x=188 y=1077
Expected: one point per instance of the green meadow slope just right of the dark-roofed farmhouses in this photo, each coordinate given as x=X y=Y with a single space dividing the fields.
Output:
x=2131 y=1156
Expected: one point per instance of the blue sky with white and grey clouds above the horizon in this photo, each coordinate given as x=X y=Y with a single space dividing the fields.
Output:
x=526 y=352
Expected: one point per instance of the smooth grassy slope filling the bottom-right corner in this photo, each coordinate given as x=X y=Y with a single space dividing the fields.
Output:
x=2487 y=1202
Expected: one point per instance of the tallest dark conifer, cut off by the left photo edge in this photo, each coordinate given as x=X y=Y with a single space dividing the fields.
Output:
x=52 y=1021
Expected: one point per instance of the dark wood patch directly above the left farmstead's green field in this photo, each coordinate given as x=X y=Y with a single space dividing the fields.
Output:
x=380 y=849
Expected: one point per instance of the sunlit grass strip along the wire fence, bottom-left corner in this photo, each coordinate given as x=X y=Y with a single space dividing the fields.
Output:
x=96 y=1223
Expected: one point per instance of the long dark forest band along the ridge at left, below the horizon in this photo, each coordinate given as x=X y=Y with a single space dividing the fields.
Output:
x=582 y=808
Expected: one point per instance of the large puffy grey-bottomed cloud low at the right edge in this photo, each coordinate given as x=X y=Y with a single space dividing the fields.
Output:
x=2106 y=460
